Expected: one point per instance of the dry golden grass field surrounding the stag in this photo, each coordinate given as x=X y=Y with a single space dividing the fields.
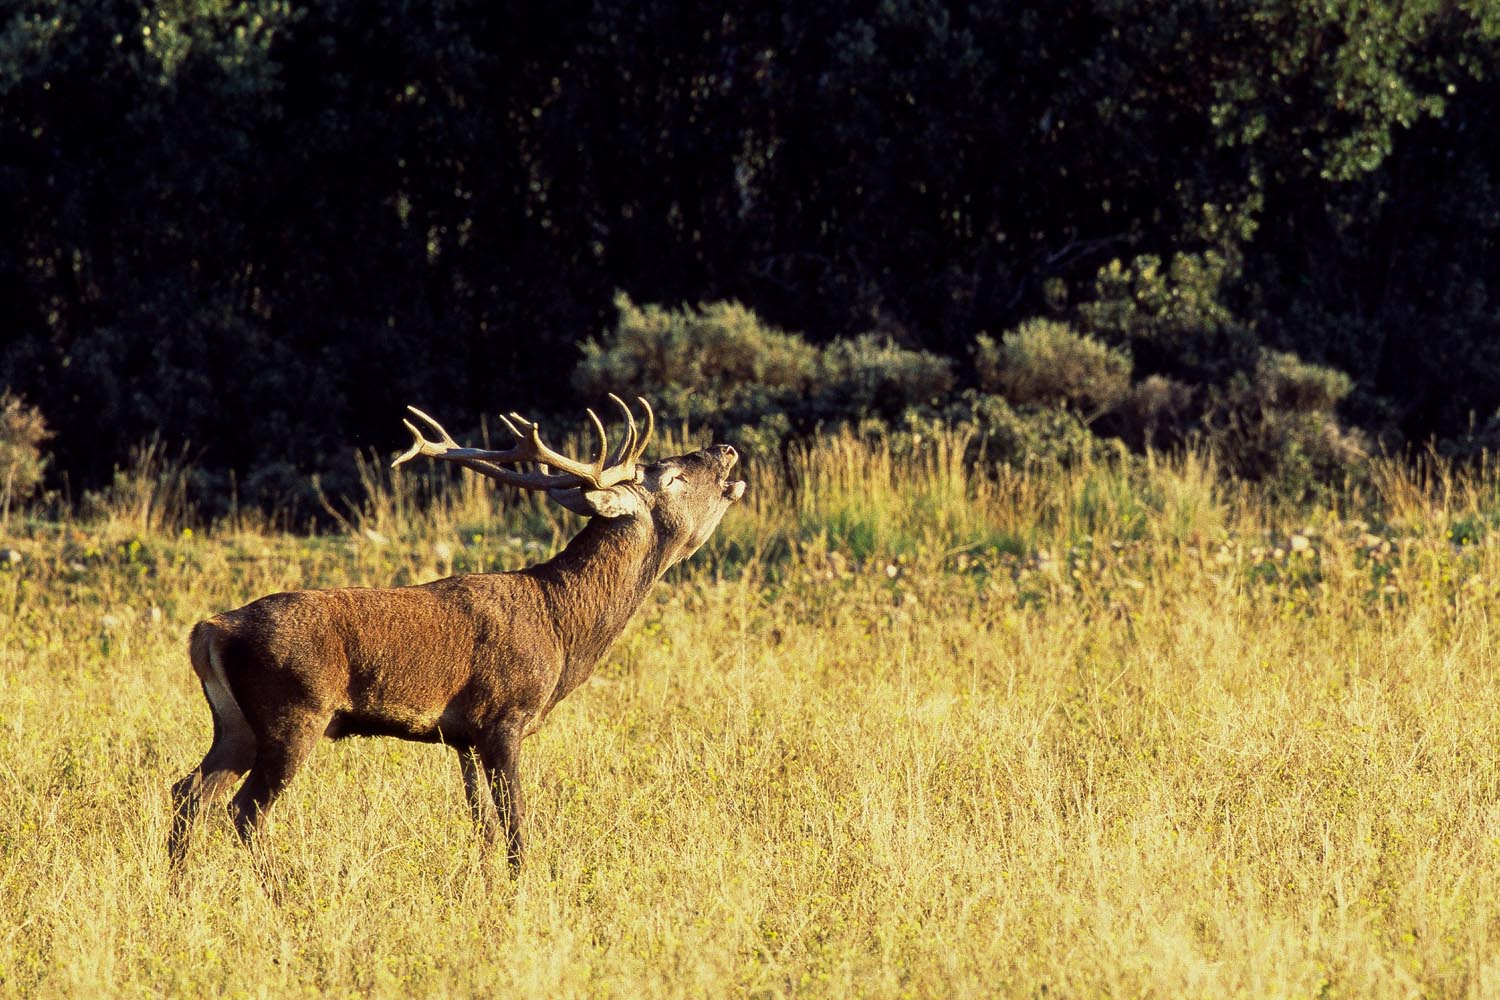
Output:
x=893 y=734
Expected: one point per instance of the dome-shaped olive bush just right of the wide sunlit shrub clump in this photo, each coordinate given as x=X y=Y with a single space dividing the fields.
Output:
x=1048 y=364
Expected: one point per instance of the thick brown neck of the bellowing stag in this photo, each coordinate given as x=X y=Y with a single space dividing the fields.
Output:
x=595 y=585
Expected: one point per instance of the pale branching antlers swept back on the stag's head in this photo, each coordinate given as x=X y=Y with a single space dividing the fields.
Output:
x=607 y=470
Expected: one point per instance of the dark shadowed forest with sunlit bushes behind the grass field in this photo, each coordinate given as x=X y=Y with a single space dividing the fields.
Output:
x=262 y=229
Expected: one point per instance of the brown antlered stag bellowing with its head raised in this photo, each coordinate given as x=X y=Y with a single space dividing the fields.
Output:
x=475 y=662
